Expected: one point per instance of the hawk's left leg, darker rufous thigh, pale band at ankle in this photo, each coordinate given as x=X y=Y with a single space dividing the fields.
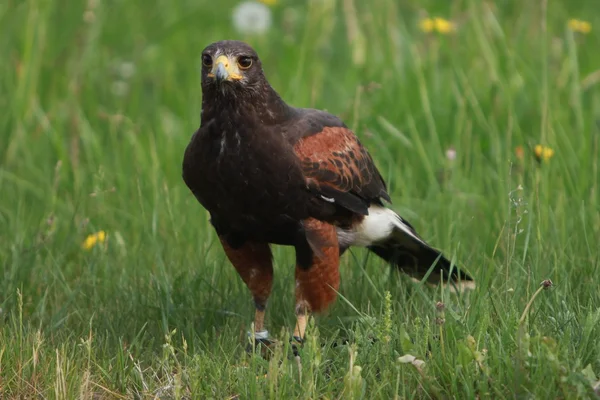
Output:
x=253 y=261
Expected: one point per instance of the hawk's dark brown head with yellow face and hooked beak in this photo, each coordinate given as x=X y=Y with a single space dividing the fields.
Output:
x=230 y=66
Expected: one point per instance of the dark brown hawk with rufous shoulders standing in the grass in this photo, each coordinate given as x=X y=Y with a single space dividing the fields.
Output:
x=269 y=173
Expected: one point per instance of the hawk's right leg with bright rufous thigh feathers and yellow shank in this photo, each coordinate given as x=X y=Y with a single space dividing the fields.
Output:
x=317 y=275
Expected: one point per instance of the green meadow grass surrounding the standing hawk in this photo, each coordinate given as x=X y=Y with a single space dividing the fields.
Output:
x=99 y=100
